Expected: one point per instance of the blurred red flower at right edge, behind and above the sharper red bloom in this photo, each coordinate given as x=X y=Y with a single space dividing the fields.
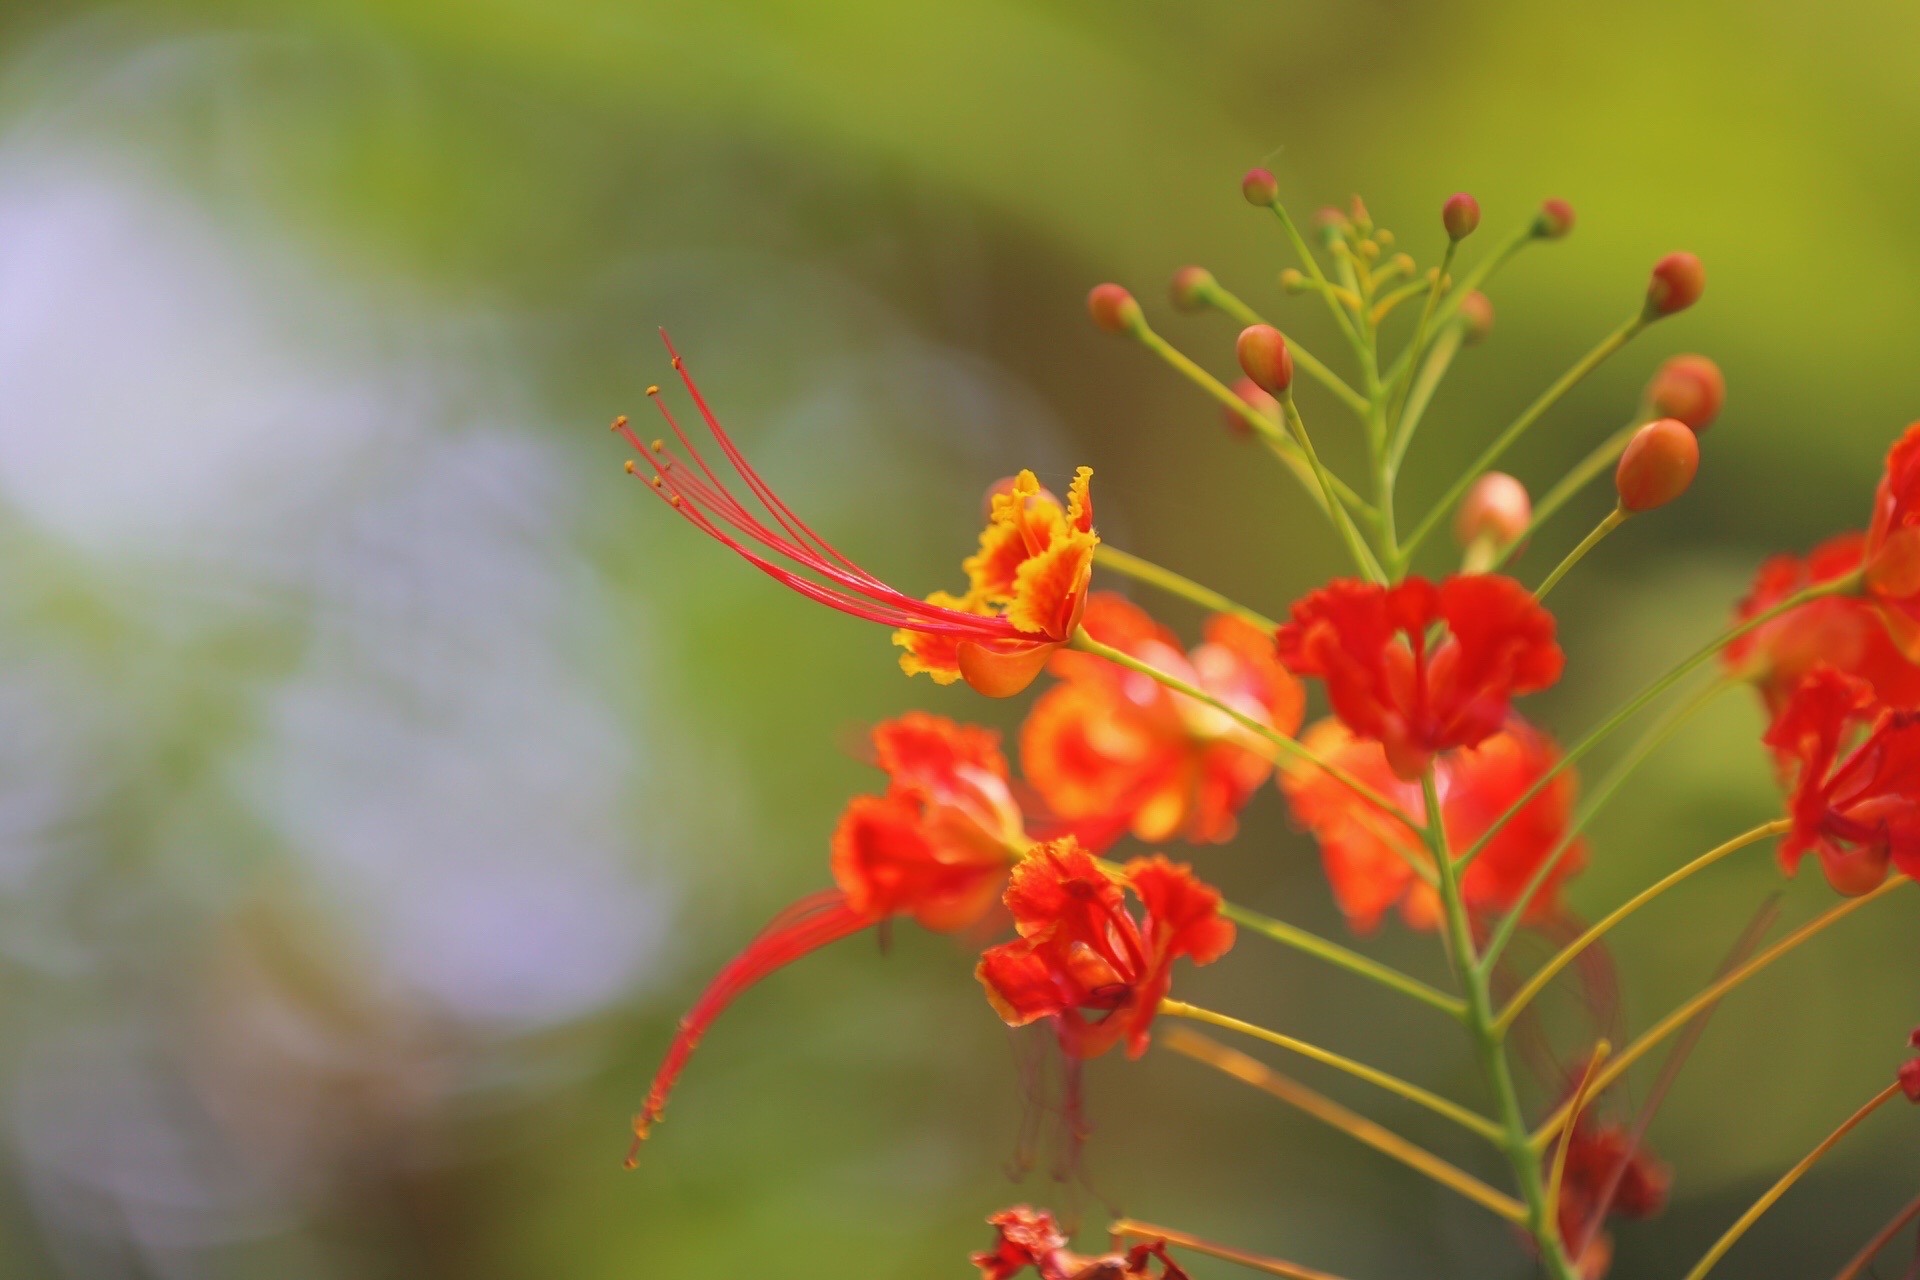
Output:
x=1838 y=630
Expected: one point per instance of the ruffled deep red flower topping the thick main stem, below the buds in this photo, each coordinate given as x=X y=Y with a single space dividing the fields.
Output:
x=1370 y=646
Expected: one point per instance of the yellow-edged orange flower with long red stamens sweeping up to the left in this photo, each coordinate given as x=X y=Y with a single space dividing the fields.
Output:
x=1026 y=588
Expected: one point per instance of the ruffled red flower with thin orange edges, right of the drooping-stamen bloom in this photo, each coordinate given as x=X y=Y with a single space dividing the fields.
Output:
x=1082 y=959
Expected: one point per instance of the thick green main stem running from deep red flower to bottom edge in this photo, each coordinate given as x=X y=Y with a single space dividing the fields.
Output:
x=1491 y=1049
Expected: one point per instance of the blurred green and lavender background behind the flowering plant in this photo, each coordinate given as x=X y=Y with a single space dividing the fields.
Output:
x=383 y=776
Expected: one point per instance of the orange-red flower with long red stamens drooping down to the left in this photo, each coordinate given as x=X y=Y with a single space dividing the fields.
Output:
x=938 y=847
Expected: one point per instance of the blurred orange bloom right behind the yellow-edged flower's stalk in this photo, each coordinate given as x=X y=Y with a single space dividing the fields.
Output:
x=1115 y=751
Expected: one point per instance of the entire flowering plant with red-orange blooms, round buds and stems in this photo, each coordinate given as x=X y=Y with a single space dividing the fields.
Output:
x=1420 y=780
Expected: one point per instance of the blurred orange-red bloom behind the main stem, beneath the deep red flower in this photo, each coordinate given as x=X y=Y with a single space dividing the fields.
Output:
x=1376 y=861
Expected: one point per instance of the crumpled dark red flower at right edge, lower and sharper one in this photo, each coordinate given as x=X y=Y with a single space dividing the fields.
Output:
x=1860 y=813
